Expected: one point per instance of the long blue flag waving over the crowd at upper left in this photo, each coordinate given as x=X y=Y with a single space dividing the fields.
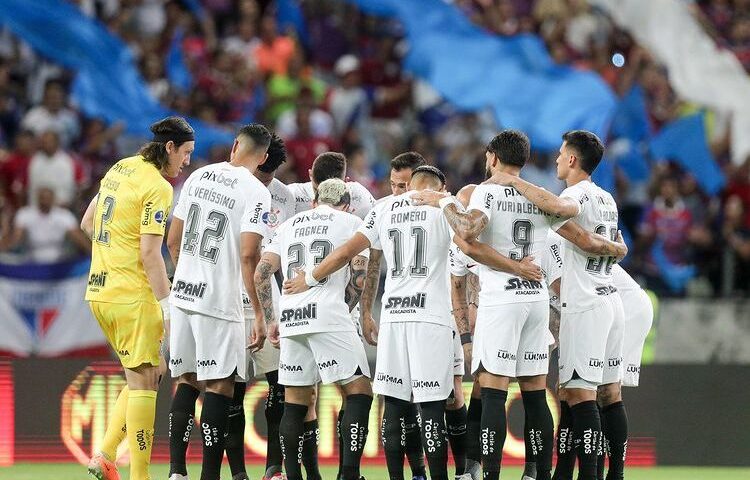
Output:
x=107 y=82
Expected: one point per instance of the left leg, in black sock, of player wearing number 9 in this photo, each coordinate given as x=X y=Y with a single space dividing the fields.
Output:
x=494 y=423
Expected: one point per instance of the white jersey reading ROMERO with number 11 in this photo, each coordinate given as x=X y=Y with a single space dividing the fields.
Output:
x=415 y=241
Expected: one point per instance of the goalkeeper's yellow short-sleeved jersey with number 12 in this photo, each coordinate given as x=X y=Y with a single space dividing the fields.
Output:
x=133 y=199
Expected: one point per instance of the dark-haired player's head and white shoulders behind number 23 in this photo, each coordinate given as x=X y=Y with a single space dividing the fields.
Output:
x=331 y=165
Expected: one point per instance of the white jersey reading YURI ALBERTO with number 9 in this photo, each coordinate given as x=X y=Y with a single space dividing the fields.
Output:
x=516 y=229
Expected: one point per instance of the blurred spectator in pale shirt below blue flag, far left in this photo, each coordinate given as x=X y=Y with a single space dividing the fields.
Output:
x=54 y=115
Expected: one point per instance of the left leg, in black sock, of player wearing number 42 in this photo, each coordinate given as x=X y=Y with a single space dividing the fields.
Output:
x=182 y=423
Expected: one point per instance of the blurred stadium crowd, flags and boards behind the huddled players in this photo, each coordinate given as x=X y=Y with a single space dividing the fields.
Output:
x=663 y=82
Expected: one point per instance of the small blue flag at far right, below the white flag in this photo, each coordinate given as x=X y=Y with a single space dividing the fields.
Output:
x=684 y=141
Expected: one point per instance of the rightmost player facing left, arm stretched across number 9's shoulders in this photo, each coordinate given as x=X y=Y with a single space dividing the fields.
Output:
x=592 y=318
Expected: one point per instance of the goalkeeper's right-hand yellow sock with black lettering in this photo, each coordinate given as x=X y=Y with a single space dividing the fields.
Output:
x=140 y=415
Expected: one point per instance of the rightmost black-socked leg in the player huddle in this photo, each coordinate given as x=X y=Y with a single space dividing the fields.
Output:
x=614 y=421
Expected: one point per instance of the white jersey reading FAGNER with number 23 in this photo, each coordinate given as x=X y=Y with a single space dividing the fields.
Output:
x=303 y=242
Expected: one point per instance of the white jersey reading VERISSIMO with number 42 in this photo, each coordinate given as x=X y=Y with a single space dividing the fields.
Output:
x=217 y=204
